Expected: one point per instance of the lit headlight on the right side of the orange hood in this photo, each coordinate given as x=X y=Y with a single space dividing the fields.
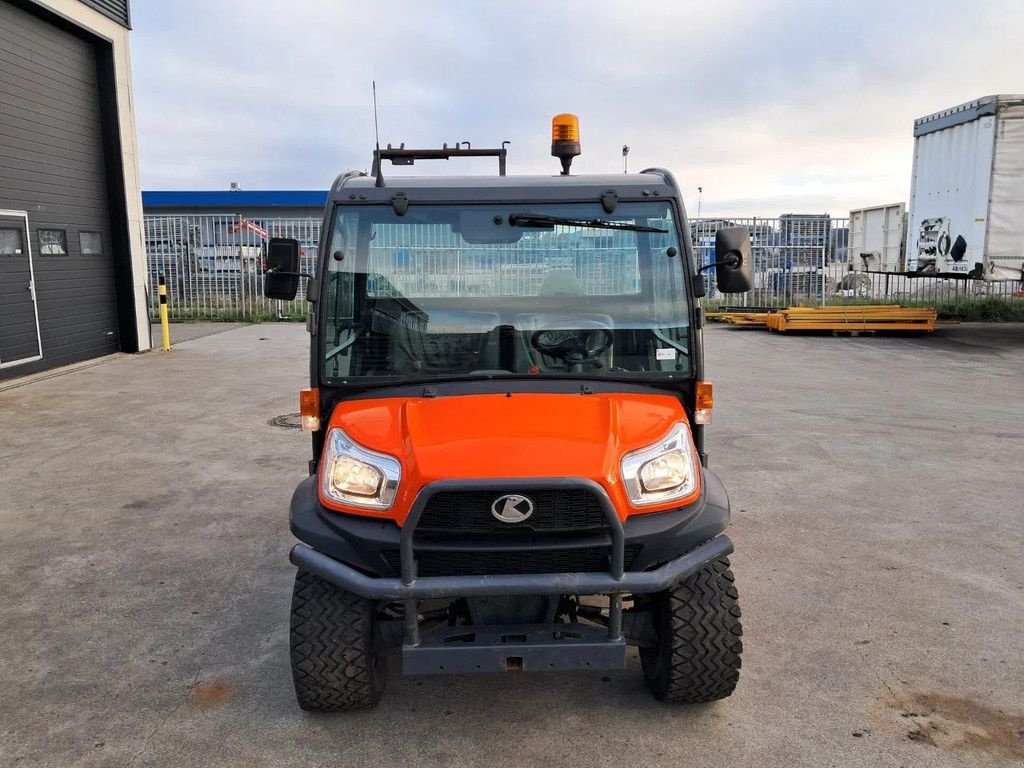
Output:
x=665 y=472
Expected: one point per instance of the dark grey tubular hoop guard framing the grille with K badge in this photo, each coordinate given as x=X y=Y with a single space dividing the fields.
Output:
x=617 y=559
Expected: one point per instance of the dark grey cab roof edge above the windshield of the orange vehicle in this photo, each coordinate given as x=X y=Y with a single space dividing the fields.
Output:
x=650 y=184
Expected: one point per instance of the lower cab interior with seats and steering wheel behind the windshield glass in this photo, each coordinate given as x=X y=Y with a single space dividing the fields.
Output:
x=426 y=337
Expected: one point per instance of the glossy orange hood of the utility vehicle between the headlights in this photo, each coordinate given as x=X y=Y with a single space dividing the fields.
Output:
x=499 y=436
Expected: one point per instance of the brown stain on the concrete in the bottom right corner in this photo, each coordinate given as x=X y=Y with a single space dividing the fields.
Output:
x=953 y=723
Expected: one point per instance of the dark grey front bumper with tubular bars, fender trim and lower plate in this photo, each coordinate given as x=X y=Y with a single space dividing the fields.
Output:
x=350 y=551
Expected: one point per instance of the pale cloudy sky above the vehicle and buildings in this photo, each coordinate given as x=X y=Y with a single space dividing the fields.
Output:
x=770 y=106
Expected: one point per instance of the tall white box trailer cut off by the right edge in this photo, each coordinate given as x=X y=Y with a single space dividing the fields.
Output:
x=967 y=191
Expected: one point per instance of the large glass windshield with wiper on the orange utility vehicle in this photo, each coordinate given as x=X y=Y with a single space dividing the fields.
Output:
x=454 y=291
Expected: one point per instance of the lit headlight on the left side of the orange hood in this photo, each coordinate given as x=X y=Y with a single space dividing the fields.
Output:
x=353 y=475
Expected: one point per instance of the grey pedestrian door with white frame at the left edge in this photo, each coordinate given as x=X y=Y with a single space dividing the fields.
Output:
x=20 y=340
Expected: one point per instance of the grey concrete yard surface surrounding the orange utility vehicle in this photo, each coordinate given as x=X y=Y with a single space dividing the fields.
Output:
x=878 y=519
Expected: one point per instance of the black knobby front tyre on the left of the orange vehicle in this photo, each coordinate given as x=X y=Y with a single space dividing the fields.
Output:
x=333 y=662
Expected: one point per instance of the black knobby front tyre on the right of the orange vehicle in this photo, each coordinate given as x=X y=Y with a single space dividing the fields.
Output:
x=697 y=659
